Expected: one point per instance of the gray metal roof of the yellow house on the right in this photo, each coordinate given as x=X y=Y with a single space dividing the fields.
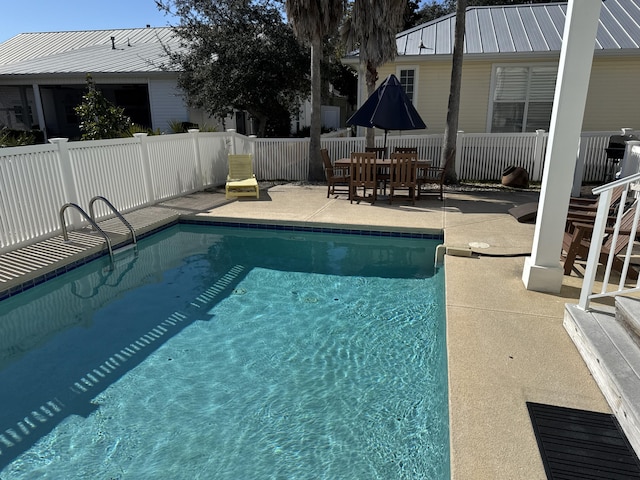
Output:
x=536 y=28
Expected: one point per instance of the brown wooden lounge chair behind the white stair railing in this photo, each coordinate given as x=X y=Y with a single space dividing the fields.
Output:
x=577 y=240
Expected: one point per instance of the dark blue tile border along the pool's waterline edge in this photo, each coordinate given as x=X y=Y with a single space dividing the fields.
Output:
x=33 y=282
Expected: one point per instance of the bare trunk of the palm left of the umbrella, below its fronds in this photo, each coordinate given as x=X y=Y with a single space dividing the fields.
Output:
x=316 y=171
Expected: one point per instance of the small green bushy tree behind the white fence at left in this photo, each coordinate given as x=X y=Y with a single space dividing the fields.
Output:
x=99 y=118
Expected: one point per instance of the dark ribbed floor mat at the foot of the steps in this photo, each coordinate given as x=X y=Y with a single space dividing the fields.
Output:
x=578 y=444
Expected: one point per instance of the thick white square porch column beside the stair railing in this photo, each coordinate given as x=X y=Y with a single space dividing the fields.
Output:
x=543 y=271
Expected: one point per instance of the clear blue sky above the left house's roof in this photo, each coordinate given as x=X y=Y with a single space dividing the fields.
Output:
x=26 y=16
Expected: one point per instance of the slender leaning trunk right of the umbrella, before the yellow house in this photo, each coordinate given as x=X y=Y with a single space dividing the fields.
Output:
x=451 y=130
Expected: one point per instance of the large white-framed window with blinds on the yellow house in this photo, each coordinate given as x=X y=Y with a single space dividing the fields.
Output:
x=522 y=98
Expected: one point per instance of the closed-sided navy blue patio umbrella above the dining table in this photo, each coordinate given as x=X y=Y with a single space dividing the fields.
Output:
x=388 y=108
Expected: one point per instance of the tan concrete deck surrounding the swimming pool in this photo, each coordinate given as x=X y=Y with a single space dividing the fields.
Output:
x=506 y=345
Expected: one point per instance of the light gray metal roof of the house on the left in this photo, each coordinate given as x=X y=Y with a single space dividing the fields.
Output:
x=137 y=50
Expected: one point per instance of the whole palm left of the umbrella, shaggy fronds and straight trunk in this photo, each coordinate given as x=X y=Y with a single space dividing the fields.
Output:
x=312 y=21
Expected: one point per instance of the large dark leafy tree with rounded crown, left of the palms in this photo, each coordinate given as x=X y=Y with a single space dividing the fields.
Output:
x=238 y=54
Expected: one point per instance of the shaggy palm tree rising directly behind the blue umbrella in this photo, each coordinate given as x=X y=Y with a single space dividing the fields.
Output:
x=372 y=27
